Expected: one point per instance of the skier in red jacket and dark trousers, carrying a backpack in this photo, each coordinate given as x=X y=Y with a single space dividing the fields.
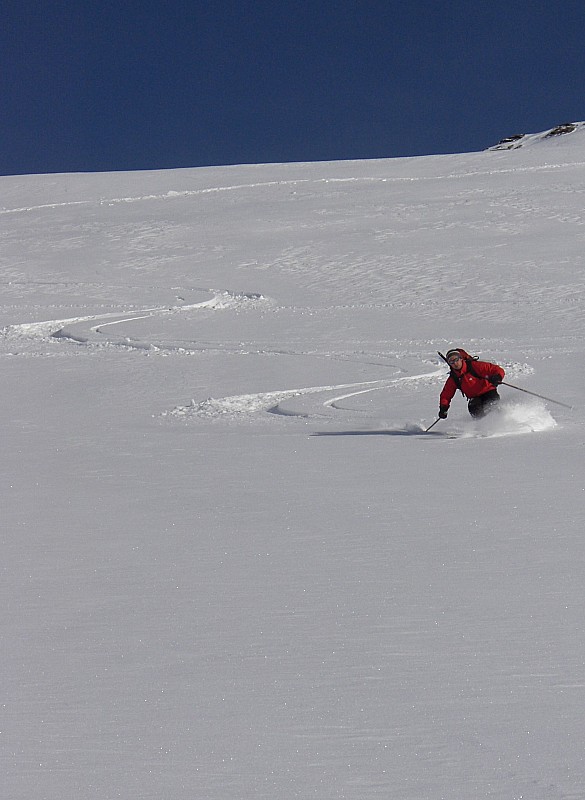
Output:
x=477 y=380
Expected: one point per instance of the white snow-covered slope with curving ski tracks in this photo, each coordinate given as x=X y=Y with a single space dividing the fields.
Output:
x=233 y=565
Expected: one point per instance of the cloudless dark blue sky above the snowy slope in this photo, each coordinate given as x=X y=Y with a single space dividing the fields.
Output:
x=139 y=84
